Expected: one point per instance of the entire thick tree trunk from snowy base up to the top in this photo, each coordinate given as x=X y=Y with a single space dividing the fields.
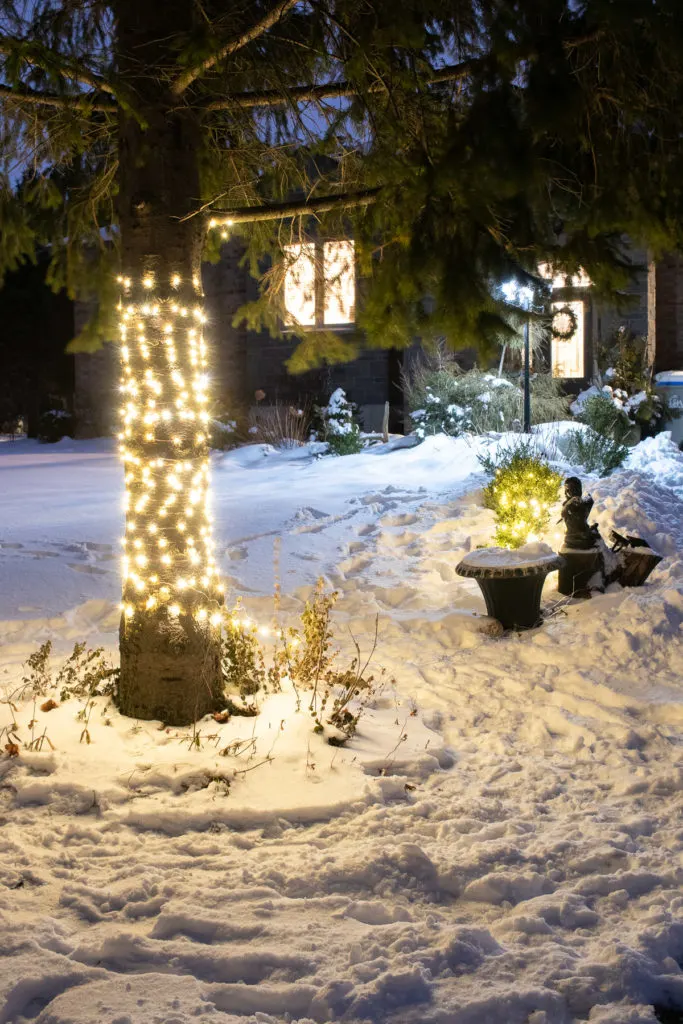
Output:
x=170 y=624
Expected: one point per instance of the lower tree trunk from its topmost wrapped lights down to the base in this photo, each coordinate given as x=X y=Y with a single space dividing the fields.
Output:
x=170 y=627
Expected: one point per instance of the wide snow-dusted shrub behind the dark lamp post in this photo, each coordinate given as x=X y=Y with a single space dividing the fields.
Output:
x=483 y=402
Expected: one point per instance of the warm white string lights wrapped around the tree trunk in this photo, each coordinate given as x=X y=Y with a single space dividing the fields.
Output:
x=168 y=563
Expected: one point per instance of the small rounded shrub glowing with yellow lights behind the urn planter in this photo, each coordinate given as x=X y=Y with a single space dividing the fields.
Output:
x=522 y=493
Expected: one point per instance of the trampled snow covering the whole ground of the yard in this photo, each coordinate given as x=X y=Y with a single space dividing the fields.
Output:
x=517 y=860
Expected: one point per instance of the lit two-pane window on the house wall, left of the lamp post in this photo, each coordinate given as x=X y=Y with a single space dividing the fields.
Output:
x=320 y=284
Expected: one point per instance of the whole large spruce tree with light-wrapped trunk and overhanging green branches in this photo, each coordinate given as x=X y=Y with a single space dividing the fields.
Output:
x=461 y=143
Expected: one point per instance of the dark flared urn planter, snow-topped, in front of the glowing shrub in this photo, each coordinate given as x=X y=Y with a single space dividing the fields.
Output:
x=513 y=592
